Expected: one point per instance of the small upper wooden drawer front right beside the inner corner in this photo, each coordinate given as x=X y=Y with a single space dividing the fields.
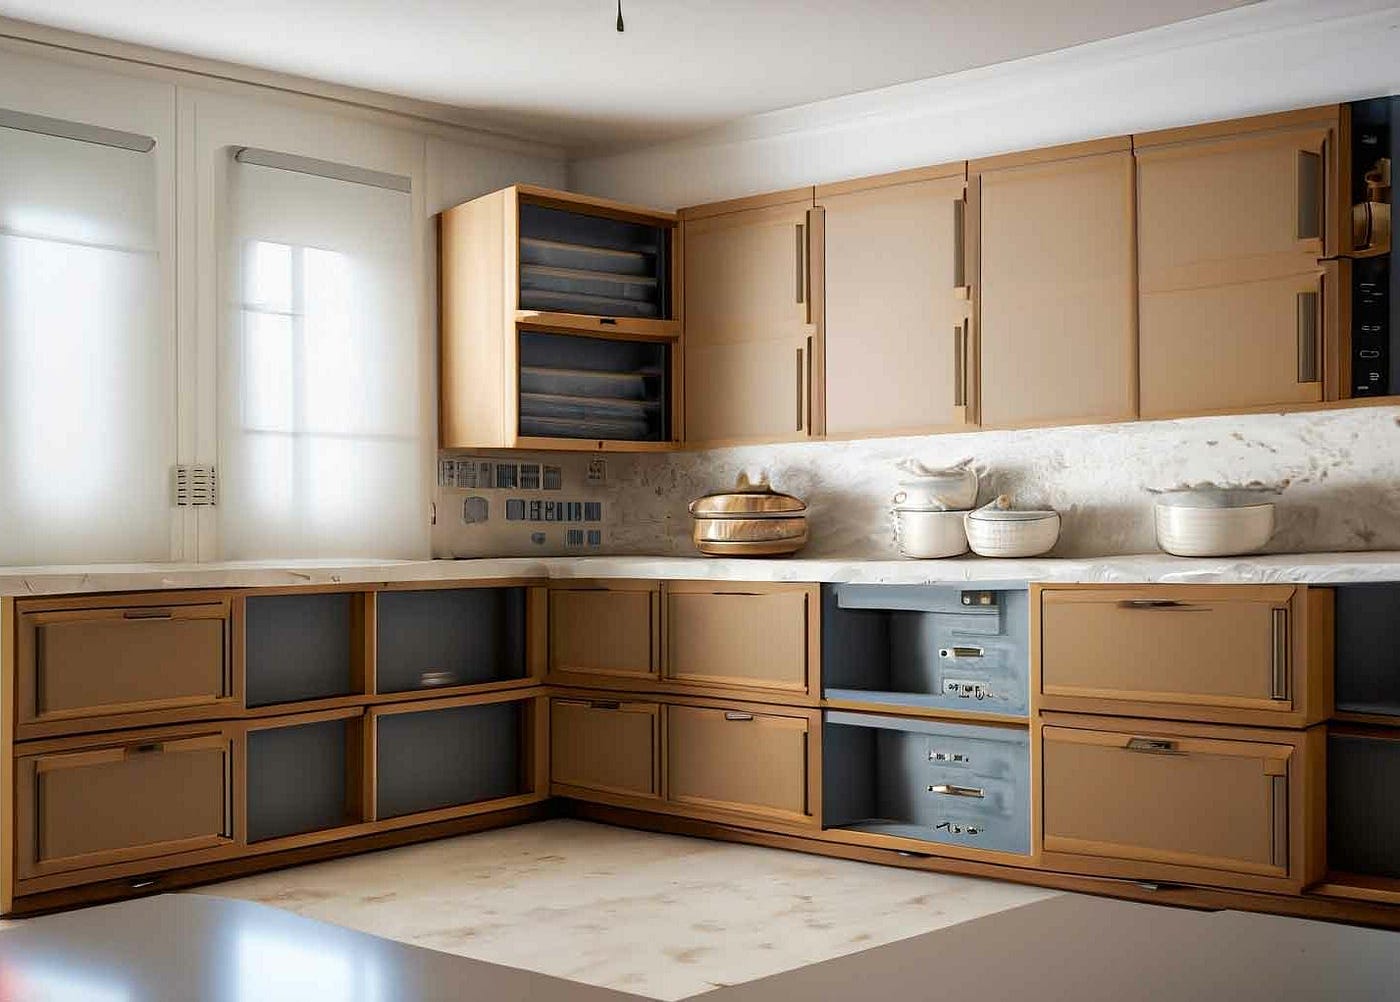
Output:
x=604 y=632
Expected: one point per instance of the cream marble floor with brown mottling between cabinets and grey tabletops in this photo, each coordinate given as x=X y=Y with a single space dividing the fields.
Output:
x=657 y=916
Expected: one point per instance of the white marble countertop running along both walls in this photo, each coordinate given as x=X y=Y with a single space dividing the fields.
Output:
x=1139 y=569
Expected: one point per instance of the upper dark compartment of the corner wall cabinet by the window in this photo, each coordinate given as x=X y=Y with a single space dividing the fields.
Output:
x=573 y=262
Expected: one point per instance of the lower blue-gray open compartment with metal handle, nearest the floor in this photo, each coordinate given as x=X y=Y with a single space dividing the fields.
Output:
x=936 y=782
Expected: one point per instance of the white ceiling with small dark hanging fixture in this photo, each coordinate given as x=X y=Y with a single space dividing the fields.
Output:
x=558 y=69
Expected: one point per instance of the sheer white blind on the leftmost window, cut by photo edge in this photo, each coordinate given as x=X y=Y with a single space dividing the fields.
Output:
x=87 y=380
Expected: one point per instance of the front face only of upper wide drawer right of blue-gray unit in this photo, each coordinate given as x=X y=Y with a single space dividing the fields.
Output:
x=1163 y=647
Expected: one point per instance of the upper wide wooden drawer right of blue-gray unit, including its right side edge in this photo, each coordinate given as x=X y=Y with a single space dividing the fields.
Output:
x=1226 y=654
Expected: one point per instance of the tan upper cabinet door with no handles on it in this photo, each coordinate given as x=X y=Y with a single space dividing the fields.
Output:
x=1056 y=286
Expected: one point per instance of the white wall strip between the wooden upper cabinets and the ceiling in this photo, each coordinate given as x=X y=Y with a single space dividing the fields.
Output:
x=1269 y=57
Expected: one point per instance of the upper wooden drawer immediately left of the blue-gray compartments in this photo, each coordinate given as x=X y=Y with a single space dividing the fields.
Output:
x=747 y=636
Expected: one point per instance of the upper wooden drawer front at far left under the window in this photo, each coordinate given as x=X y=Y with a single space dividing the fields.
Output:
x=107 y=661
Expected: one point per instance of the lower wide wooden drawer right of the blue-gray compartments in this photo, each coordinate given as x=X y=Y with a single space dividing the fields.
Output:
x=1209 y=805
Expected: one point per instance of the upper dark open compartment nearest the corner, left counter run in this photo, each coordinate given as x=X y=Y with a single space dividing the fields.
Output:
x=436 y=639
